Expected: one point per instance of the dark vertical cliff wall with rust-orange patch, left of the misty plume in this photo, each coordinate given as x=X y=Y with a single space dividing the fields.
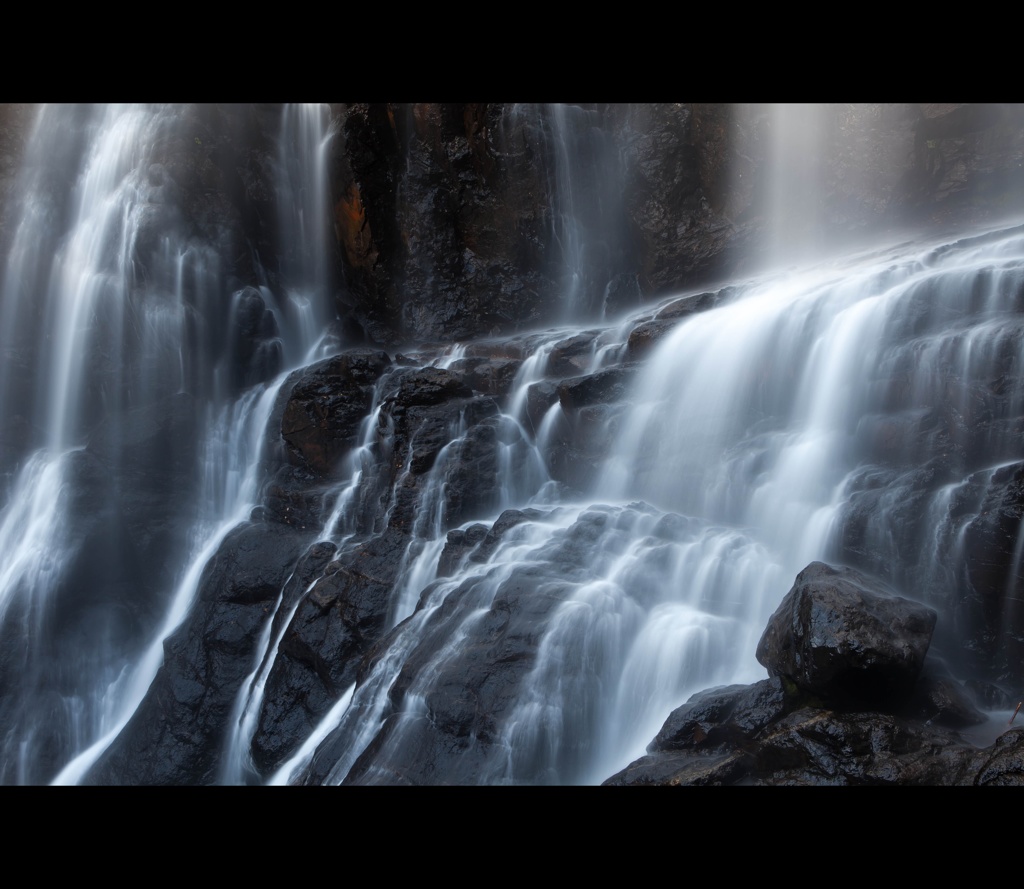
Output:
x=462 y=250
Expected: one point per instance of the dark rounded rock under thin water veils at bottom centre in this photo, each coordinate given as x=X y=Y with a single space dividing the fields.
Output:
x=464 y=694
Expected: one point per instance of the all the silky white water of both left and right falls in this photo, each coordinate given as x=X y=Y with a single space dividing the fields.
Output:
x=794 y=421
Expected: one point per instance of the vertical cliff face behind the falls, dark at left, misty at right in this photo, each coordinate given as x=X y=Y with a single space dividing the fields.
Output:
x=449 y=217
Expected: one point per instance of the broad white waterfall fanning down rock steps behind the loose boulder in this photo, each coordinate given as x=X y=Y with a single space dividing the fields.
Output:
x=748 y=447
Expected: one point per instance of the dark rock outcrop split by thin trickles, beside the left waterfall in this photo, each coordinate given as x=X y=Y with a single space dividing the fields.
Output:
x=330 y=607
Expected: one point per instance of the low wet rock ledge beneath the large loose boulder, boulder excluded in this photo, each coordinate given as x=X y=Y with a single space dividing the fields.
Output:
x=773 y=735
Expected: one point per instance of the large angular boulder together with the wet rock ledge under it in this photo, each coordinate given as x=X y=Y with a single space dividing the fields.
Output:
x=855 y=697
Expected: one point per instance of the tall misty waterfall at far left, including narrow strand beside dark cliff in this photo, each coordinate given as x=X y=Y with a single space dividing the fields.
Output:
x=121 y=305
